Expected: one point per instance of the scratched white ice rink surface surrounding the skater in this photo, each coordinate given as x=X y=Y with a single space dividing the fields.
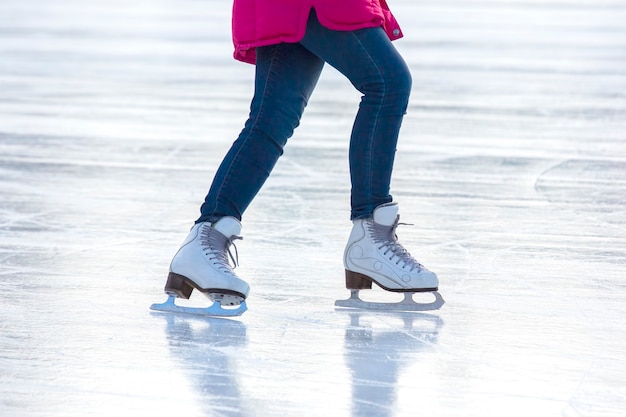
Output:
x=511 y=167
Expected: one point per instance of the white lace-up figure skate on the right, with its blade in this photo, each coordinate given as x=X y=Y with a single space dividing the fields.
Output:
x=373 y=254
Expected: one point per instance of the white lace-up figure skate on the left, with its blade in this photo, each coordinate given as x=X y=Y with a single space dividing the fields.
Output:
x=202 y=263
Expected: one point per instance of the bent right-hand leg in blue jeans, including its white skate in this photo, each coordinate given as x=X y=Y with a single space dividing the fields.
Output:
x=373 y=253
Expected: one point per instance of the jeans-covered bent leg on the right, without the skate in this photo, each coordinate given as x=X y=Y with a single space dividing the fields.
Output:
x=372 y=64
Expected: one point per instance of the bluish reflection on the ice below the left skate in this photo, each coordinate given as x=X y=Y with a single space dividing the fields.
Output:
x=204 y=349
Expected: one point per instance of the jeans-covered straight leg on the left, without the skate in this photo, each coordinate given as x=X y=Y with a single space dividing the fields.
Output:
x=286 y=75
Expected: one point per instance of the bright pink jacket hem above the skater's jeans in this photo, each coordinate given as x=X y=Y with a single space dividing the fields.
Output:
x=268 y=22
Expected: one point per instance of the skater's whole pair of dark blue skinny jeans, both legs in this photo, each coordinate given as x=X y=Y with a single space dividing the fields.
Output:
x=286 y=75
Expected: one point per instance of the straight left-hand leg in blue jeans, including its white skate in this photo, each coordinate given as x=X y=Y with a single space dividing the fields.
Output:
x=285 y=78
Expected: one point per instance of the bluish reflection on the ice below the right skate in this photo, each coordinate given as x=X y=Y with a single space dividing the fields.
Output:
x=376 y=358
